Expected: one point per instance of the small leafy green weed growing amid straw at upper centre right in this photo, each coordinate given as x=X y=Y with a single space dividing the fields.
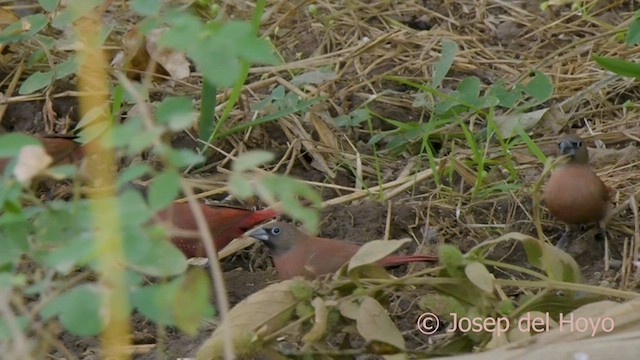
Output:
x=446 y=111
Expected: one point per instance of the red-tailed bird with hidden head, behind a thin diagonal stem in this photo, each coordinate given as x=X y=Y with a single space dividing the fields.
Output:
x=225 y=223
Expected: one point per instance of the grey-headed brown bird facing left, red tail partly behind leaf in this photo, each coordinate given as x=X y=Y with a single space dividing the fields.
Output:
x=298 y=254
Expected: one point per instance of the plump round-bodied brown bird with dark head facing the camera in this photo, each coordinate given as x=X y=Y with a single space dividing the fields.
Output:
x=574 y=193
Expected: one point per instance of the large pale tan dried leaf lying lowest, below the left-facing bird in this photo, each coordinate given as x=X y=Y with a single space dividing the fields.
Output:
x=260 y=314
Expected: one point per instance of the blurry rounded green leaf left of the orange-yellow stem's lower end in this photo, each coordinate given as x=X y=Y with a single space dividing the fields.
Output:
x=79 y=309
